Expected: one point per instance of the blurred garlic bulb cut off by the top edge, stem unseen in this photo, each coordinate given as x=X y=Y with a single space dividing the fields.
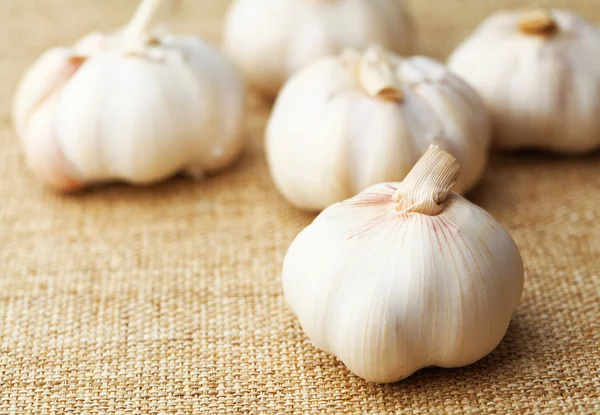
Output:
x=270 y=40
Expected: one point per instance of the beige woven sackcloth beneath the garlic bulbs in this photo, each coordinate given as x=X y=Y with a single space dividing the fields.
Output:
x=168 y=299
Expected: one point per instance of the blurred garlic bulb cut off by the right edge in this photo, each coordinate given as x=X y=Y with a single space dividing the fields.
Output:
x=539 y=74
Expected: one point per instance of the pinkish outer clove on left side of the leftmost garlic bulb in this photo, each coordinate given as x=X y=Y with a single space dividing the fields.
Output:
x=34 y=117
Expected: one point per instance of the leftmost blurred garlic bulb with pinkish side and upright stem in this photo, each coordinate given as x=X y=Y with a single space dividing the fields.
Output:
x=139 y=106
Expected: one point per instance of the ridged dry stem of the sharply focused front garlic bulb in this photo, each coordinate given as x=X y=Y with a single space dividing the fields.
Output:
x=428 y=183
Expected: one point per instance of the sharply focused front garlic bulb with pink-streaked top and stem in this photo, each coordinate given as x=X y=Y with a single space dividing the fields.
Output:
x=404 y=276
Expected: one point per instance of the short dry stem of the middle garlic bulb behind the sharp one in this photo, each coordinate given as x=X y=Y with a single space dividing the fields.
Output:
x=378 y=76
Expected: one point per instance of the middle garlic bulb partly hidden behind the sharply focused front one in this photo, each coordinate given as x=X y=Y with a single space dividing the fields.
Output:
x=350 y=121
